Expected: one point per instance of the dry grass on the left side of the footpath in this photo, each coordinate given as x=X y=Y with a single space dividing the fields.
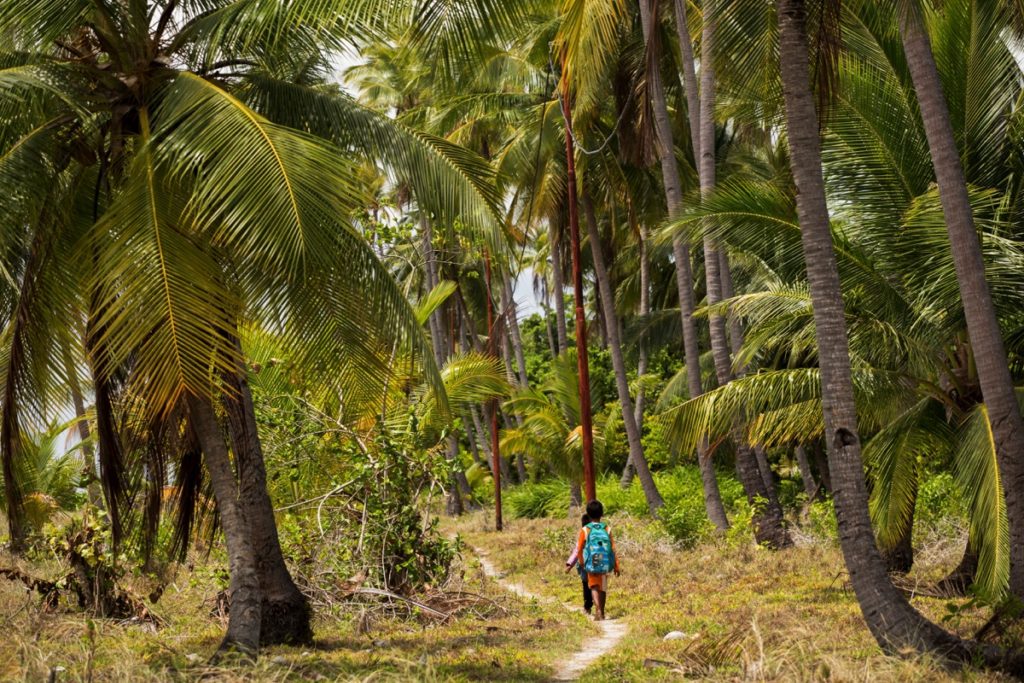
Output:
x=501 y=638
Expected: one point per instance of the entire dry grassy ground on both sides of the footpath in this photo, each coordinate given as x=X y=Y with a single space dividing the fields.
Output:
x=745 y=615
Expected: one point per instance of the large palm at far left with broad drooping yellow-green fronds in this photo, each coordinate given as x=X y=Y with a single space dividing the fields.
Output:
x=172 y=147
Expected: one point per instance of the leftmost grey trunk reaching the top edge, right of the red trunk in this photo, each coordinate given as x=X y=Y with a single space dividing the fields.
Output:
x=681 y=253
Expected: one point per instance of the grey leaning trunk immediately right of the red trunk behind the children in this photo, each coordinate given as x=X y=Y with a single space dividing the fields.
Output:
x=655 y=500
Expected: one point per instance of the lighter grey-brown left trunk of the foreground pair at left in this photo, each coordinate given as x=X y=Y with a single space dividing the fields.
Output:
x=244 y=590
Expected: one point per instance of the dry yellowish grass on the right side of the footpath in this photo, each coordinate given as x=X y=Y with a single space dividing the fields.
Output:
x=749 y=614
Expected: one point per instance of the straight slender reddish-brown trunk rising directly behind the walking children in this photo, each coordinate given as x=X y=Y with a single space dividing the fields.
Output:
x=583 y=367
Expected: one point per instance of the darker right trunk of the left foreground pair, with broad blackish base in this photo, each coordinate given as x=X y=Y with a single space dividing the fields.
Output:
x=286 y=613
